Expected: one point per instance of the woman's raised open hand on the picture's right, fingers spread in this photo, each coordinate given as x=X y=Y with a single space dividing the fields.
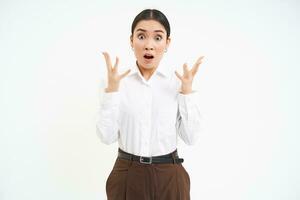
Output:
x=188 y=76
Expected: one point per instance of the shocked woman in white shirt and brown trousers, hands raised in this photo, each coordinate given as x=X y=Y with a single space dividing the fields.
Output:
x=146 y=111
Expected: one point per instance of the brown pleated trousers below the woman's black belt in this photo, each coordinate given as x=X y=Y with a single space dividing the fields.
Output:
x=132 y=180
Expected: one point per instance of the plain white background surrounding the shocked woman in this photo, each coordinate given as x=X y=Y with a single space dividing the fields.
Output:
x=50 y=71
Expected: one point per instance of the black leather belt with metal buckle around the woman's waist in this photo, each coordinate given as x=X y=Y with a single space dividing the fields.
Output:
x=168 y=158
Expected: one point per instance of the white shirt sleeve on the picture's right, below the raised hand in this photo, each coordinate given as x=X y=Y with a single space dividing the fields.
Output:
x=190 y=121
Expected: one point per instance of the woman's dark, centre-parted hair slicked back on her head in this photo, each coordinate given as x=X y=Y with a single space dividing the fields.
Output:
x=153 y=14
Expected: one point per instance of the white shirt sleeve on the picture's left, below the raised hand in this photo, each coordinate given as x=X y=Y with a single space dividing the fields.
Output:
x=107 y=124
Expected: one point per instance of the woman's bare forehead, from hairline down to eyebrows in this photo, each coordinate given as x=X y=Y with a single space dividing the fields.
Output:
x=149 y=26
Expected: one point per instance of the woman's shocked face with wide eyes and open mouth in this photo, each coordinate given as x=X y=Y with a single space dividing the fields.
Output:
x=149 y=41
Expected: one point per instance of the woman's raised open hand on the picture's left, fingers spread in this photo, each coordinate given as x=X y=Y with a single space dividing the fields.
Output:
x=112 y=73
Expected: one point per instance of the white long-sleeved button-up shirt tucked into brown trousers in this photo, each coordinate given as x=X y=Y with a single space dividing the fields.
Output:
x=146 y=117
